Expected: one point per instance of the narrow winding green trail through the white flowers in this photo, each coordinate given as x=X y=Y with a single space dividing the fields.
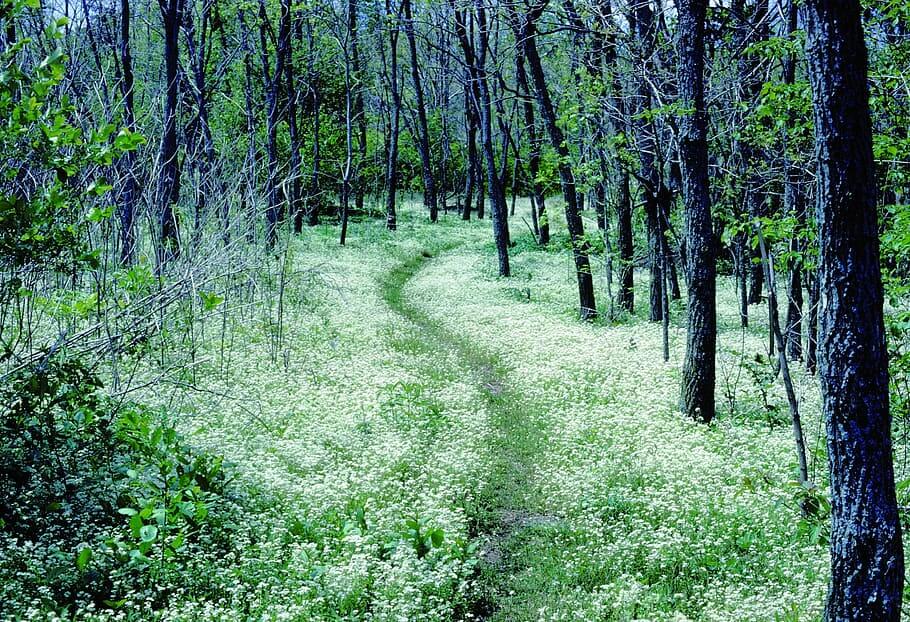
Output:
x=503 y=510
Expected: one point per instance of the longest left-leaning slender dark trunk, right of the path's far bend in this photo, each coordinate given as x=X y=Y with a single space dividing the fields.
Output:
x=526 y=32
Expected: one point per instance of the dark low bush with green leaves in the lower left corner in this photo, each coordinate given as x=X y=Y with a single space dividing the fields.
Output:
x=102 y=498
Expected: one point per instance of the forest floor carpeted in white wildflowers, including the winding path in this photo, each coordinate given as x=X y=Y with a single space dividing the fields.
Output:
x=436 y=442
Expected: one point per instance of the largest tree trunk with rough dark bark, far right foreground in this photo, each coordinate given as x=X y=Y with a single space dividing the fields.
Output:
x=867 y=562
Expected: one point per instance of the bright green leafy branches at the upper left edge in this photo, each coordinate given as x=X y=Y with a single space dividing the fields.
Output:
x=46 y=208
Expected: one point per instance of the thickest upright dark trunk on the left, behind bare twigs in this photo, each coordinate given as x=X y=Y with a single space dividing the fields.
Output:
x=169 y=173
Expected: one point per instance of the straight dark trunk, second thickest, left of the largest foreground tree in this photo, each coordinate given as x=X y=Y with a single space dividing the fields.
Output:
x=698 y=367
